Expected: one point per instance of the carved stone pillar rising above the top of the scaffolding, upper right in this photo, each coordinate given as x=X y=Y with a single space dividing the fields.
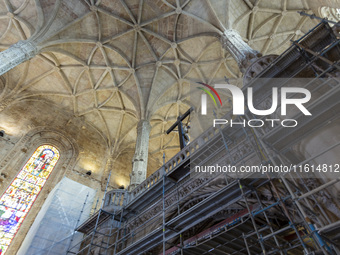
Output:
x=239 y=50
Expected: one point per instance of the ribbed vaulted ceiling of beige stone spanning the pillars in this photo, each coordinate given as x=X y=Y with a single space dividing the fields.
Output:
x=110 y=63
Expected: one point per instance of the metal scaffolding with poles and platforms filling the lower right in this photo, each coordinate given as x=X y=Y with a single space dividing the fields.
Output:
x=176 y=211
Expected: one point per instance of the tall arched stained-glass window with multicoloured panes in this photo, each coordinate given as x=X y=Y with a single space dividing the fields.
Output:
x=19 y=197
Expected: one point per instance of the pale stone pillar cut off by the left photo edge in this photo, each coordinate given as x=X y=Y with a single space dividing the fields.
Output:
x=16 y=54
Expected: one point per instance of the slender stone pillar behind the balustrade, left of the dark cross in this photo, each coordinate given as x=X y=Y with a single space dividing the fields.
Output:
x=140 y=159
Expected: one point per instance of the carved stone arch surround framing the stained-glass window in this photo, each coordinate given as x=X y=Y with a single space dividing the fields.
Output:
x=22 y=151
